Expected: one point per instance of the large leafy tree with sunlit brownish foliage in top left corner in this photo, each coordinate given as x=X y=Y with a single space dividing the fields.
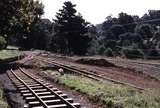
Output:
x=17 y=16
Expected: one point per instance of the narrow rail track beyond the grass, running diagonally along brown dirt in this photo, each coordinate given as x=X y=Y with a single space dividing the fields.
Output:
x=85 y=73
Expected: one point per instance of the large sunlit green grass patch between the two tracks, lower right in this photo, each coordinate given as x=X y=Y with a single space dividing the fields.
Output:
x=111 y=95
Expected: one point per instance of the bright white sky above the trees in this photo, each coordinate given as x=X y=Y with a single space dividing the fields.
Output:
x=95 y=11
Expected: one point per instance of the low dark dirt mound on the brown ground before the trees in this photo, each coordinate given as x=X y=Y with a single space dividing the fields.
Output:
x=97 y=62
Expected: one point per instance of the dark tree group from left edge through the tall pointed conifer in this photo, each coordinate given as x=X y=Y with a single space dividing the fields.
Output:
x=21 y=25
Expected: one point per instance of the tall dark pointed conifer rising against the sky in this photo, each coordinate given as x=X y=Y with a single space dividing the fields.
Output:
x=70 y=31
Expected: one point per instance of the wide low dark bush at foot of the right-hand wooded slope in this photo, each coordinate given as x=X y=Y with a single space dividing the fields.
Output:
x=132 y=53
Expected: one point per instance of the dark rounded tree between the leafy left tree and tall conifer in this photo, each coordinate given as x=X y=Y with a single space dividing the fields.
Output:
x=40 y=35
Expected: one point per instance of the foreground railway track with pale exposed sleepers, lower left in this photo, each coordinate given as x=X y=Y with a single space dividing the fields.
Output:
x=39 y=94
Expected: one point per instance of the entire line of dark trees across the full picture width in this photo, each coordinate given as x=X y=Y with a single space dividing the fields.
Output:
x=126 y=36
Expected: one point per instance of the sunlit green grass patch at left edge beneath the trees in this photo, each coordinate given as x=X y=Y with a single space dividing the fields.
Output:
x=6 y=54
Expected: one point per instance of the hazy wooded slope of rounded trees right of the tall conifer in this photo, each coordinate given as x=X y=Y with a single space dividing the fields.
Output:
x=130 y=36
